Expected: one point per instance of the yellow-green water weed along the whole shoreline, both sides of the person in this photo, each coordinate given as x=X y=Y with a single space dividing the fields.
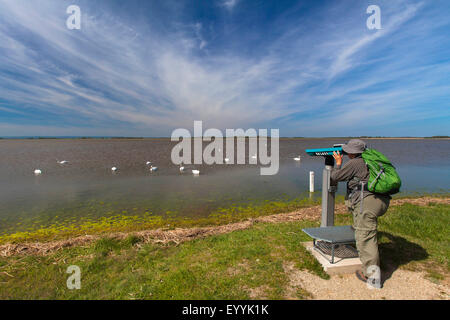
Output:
x=98 y=217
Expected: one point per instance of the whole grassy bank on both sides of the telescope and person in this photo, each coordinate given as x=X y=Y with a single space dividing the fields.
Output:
x=240 y=265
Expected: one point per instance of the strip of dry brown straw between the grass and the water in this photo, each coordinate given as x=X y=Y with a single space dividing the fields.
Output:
x=180 y=235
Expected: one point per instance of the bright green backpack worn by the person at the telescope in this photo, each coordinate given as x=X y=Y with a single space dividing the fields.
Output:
x=383 y=177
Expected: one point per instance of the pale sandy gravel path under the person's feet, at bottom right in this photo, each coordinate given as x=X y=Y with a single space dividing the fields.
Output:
x=403 y=285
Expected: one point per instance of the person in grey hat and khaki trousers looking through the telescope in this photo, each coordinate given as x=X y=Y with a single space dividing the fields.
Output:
x=374 y=205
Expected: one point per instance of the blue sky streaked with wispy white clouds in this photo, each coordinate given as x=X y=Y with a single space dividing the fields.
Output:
x=144 y=68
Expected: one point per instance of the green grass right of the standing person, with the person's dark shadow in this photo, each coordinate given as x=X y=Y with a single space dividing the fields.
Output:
x=415 y=237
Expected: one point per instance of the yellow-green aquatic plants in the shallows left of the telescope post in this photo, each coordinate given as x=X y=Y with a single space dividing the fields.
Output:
x=56 y=226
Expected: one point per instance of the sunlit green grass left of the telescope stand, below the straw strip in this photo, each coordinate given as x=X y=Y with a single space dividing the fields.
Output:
x=219 y=267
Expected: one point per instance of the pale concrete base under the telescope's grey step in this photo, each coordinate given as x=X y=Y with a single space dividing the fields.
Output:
x=341 y=266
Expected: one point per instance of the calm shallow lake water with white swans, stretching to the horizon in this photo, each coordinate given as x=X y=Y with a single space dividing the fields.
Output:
x=87 y=186
